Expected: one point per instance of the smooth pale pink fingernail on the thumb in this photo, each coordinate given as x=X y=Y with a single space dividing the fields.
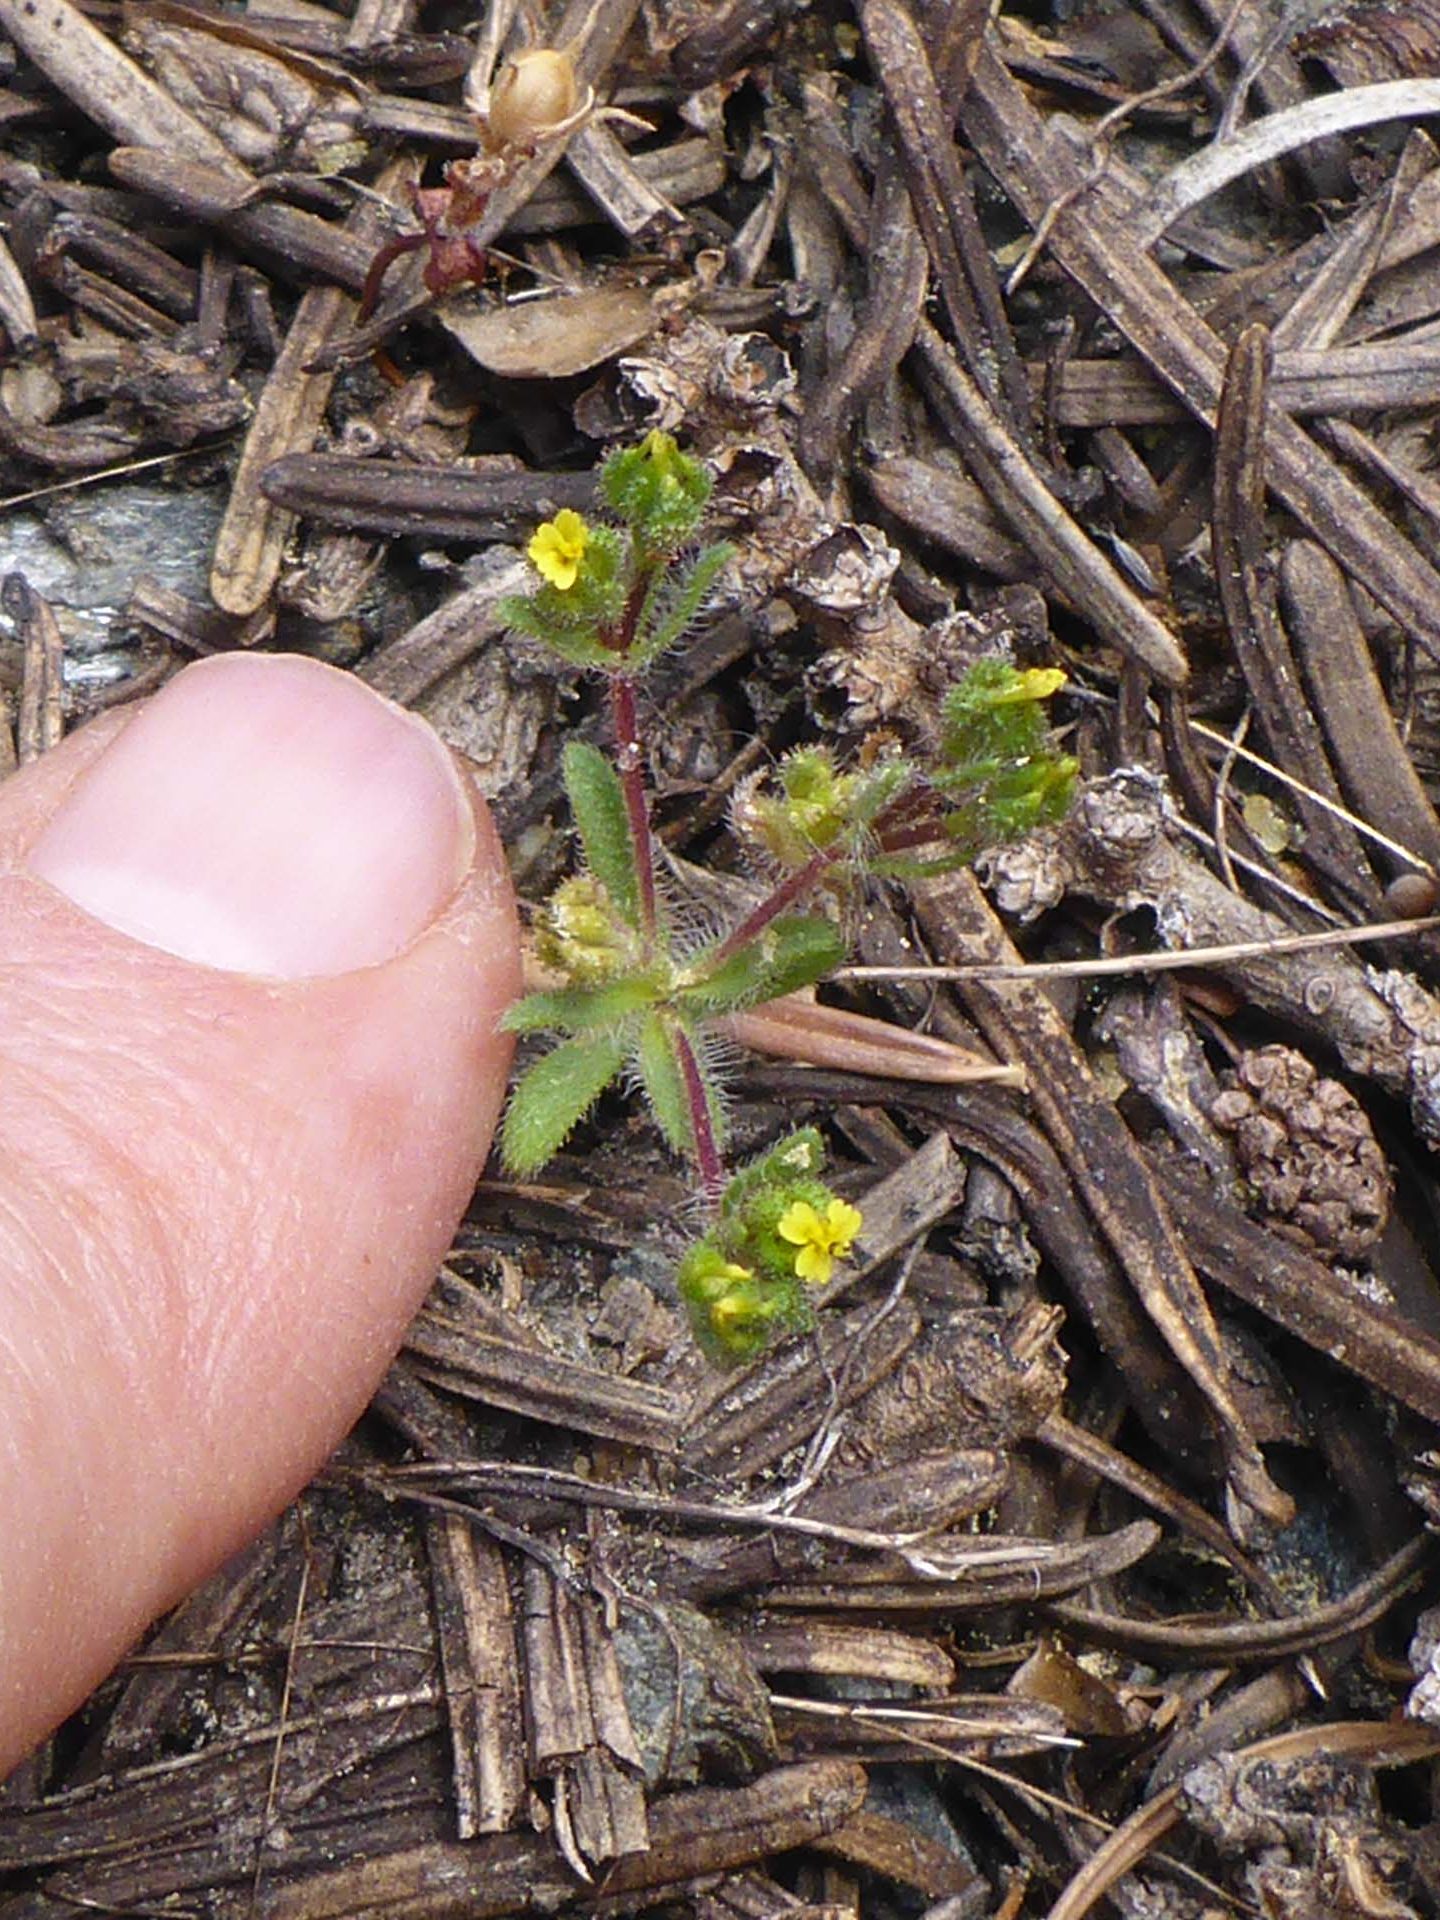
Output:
x=266 y=815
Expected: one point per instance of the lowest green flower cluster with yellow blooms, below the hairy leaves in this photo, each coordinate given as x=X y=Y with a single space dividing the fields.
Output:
x=780 y=1230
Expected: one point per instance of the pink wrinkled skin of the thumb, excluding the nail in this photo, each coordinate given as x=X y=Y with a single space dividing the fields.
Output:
x=222 y=1199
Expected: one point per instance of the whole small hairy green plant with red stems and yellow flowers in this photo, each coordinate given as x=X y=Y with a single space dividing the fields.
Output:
x=635 y=990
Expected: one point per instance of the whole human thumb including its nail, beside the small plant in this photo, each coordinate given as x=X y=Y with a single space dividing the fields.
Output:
x=254 y=944
